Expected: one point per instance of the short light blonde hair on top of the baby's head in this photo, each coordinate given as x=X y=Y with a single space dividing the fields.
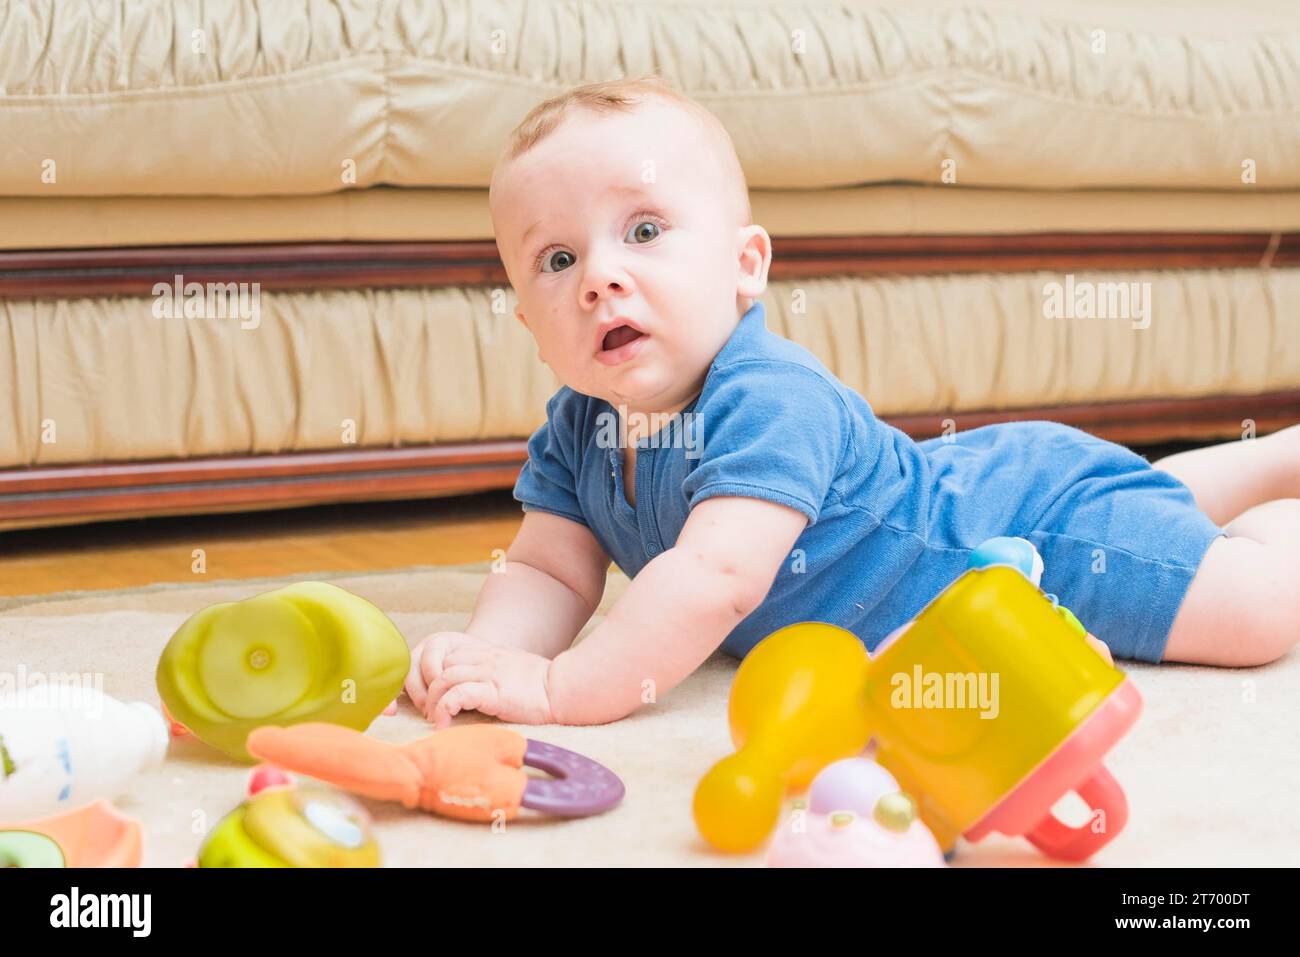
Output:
x=626 y=97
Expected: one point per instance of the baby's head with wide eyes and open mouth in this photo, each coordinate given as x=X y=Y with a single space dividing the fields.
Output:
x=626 y=202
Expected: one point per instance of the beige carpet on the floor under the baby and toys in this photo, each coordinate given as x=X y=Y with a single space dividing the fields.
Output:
x=1212 y=769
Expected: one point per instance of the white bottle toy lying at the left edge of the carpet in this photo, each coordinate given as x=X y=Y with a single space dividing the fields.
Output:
x=66 y=746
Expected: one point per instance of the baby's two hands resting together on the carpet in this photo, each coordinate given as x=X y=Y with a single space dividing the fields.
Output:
x=453 y=673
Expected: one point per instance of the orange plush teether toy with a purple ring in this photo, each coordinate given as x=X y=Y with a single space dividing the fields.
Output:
x=470 y=772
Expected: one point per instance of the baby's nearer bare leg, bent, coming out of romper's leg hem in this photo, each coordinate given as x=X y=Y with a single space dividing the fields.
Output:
x=1245 y=603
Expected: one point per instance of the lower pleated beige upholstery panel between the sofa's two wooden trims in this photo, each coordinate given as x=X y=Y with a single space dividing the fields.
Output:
x=440 y=366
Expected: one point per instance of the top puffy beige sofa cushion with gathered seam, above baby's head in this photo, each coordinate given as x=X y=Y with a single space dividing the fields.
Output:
x=306 y=97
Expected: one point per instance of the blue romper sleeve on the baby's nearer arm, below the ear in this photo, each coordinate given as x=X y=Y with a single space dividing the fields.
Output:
x=772 y=430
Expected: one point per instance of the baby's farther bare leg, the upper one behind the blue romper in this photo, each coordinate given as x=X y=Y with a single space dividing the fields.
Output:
x=1230 y=478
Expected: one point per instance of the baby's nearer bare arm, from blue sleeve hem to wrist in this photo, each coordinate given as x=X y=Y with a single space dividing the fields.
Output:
x=677 y=612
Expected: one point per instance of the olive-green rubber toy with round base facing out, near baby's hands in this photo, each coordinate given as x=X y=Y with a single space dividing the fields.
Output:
x=309 y=652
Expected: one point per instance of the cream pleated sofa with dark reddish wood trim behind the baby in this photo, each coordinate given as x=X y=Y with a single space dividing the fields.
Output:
x=930 y=175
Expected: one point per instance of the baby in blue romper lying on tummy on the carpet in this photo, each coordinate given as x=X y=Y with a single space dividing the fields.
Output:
x=743 y=487
